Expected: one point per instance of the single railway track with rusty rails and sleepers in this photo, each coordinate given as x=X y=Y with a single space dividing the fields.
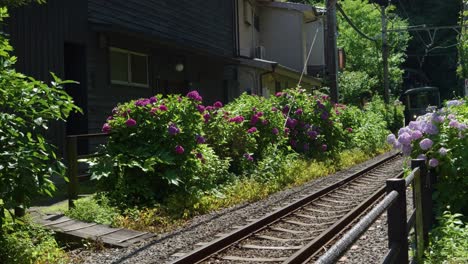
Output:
x=296 y=232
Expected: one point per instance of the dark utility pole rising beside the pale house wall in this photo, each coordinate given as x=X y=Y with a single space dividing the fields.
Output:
x=332 y=51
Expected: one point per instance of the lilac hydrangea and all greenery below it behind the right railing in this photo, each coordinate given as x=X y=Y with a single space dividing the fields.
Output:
x=440 y=137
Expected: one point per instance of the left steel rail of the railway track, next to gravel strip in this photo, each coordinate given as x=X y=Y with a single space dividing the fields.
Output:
x=229 y=239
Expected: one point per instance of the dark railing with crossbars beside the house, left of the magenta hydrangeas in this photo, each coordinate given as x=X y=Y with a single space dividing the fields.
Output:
x=73 y=159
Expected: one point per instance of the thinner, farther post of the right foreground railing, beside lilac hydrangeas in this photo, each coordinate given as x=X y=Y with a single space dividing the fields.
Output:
x=417 y=198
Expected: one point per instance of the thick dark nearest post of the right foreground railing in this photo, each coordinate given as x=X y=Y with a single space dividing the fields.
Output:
x=396 y=214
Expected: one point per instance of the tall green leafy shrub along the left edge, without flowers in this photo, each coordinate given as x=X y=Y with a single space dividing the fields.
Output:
x=27 y=106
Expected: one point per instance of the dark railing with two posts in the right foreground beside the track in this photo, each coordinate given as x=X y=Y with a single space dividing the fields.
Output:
x=398 y=227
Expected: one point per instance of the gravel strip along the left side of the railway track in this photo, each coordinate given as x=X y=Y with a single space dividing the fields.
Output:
x=204 y=228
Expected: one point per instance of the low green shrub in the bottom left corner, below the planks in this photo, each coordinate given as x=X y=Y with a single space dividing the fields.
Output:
x=28 y=243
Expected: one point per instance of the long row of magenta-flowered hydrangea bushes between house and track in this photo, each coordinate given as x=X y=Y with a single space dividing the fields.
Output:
x=173 y=150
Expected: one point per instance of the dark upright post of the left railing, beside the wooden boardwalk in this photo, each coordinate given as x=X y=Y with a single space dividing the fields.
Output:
x=72 y=172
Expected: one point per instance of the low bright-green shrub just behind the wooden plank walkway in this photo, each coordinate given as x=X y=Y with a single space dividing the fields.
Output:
x=94 y=209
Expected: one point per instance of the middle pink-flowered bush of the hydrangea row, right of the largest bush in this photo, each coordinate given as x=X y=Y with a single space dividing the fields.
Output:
x=243 y=130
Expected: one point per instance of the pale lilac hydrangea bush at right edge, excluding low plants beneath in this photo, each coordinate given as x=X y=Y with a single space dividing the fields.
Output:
x=440 y=137
